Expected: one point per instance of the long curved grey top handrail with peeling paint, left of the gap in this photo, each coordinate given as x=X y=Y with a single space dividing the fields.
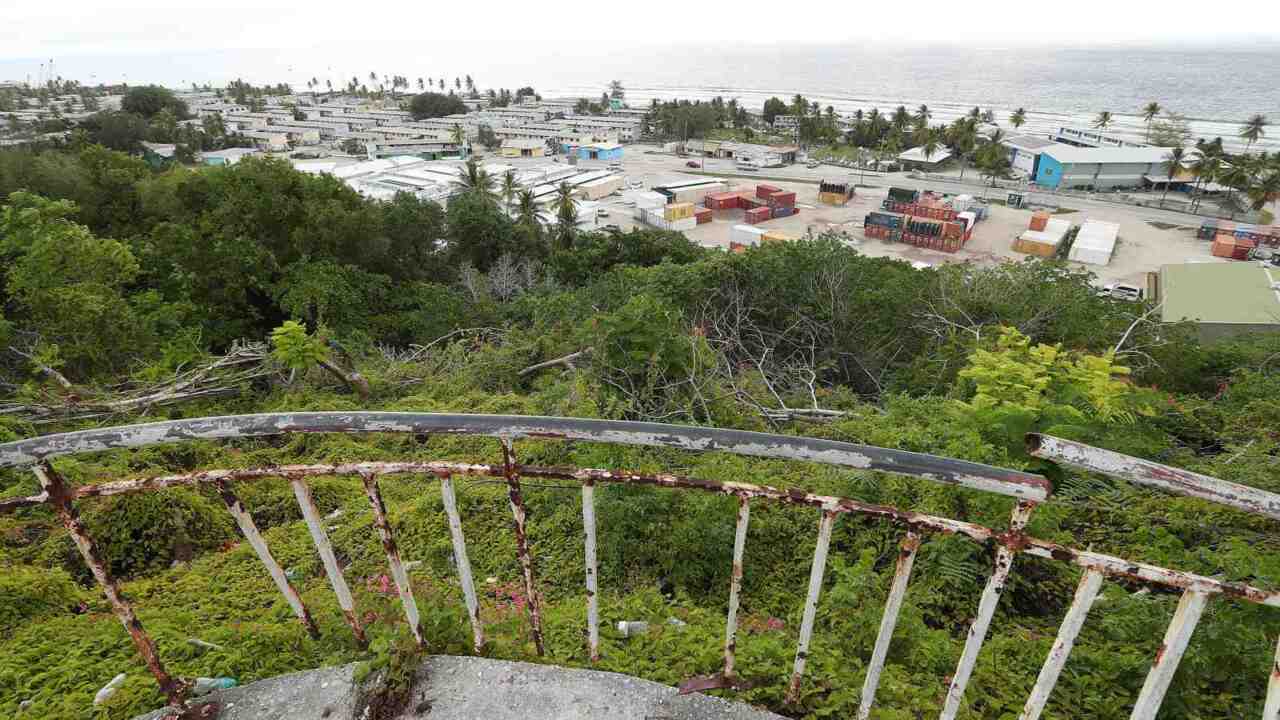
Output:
x=975 y=476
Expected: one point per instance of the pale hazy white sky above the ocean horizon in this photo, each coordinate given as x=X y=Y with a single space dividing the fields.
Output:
x=506 y=31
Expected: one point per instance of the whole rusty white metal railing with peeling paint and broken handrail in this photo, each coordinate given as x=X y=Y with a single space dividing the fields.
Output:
x=1028 y=491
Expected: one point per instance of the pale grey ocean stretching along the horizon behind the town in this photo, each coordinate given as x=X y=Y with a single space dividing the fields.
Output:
x=1215 y=88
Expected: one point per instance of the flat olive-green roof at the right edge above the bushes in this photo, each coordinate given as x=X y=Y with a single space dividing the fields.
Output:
x=1220 y=293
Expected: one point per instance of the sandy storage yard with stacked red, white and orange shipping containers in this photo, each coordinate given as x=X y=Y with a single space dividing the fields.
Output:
x=742 y=211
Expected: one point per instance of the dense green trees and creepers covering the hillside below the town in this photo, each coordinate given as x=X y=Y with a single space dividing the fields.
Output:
x=120 y=279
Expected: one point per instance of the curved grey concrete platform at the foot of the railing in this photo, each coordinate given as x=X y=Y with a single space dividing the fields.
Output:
x=467 y=689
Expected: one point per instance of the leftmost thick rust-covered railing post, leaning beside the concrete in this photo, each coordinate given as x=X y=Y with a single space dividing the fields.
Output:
x=176 y=691
